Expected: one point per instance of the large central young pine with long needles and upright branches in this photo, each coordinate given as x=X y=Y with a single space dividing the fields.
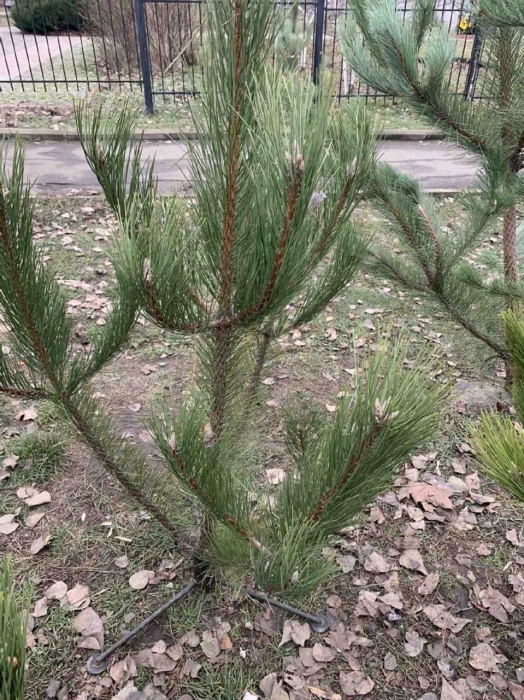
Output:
x=266 y=243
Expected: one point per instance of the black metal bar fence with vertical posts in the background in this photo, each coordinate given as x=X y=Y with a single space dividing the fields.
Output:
x=153 y=46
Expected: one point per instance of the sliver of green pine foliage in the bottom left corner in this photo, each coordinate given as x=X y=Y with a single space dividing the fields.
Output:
x=12 y=638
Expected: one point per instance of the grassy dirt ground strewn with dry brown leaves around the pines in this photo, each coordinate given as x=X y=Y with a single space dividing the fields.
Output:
x=428 y=601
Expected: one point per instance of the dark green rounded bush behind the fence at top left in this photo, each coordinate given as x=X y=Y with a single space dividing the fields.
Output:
x=45 y=16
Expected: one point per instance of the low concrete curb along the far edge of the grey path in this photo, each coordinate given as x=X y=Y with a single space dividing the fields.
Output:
x=162 y=135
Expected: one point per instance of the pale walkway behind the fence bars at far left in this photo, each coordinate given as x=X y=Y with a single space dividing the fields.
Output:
x=27 y=54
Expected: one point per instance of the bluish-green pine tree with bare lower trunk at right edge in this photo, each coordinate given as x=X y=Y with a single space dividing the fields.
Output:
x=412 y=60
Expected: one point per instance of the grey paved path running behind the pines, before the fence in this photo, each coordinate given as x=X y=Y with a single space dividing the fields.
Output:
x=59 y=167
